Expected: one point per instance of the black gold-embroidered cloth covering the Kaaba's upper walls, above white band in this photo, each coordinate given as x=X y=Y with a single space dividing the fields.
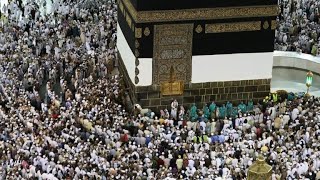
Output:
x=218 y=28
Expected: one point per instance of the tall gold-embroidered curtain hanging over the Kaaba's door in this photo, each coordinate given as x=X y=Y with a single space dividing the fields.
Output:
x=172 y=49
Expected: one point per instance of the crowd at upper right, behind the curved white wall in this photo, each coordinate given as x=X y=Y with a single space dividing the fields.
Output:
x=298 y=26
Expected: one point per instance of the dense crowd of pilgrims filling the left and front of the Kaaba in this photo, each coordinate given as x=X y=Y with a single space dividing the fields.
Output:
x=62 y=112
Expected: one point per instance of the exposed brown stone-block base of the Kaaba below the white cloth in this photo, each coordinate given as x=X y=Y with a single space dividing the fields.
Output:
x=200 y=93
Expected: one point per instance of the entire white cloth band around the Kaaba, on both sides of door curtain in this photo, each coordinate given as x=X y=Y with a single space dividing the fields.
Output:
x=207 y=68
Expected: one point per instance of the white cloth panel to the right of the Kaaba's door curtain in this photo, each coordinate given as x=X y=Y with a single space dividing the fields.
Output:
x=231 y=67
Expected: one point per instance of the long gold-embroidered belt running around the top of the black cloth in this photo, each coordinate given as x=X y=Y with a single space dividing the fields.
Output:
x=200 y=14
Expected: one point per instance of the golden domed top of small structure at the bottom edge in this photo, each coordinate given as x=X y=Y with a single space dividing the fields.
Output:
x=260 y=170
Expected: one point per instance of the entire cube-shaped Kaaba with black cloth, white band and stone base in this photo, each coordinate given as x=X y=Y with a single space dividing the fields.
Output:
x=196 y=51
